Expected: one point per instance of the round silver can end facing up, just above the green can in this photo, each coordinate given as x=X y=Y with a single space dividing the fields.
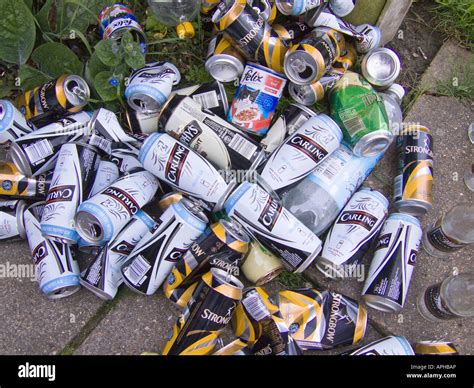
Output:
x=381 y=67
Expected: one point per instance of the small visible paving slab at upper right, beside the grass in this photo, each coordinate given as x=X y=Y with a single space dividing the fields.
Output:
x=448 y=61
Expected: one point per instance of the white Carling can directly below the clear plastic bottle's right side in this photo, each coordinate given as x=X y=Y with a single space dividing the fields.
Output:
x=350 y=237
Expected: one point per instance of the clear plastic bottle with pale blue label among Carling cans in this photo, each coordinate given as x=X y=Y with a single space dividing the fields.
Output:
x=318 y=199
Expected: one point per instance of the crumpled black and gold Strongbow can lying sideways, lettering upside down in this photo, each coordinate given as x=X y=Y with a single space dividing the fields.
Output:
x=322 y=320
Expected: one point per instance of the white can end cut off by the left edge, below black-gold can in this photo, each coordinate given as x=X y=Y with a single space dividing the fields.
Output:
x=11 y=220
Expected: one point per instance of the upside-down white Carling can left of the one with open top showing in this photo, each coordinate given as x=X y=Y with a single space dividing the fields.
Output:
x=72 y=181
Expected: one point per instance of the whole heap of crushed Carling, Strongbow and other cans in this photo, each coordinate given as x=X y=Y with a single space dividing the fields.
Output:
x=197 y=197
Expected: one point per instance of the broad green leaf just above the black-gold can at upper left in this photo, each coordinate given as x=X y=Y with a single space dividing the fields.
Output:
x=55 y=59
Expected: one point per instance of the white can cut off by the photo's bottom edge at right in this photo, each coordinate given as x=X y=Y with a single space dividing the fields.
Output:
x=388 y=346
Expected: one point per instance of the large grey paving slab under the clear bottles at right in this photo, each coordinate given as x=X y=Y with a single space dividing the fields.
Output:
x=448 y=120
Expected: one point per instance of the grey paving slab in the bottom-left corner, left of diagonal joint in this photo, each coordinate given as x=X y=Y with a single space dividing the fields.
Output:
x=30 y=323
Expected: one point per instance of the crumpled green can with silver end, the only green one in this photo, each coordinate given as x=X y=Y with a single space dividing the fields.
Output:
x=361 y=114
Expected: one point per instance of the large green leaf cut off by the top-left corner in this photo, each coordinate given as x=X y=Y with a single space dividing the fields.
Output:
x=17 y=31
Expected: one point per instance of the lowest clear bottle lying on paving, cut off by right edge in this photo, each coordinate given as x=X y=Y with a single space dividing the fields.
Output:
x=450 y=299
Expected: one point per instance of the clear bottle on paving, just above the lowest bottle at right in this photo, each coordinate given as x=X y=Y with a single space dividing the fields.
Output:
x=451 y=232
